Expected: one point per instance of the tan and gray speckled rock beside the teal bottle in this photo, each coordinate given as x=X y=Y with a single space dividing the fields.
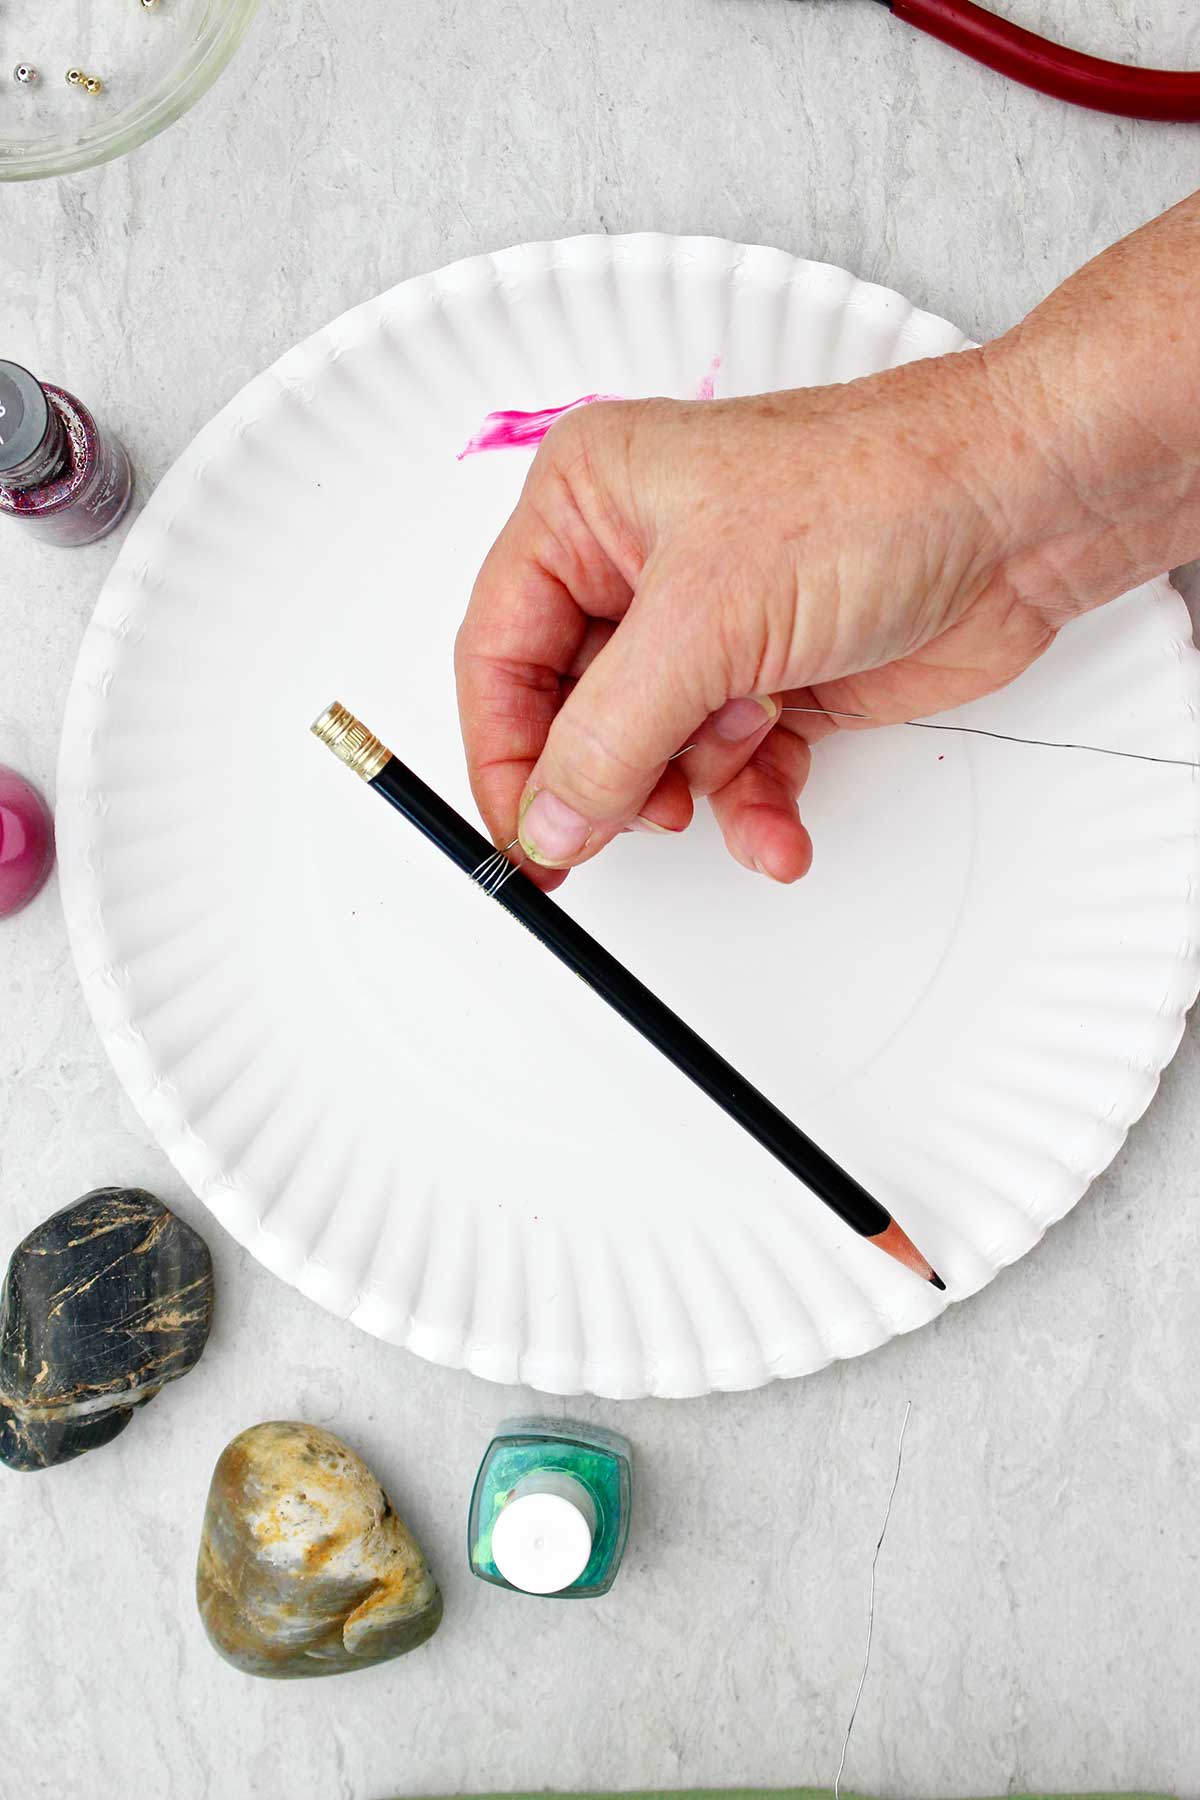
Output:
x=305 y=1569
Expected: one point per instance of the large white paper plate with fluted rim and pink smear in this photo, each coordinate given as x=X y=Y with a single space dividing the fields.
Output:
x=390 y=1093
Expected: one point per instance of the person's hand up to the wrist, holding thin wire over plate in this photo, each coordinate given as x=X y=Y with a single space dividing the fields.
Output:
x=681 y=573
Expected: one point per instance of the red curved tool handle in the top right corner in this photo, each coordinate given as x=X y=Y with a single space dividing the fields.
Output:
x=1052 y=67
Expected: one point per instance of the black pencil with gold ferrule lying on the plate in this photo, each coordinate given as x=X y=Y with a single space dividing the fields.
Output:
x=578 y=949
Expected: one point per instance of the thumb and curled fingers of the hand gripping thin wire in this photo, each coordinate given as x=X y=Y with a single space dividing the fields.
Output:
x=582 y=670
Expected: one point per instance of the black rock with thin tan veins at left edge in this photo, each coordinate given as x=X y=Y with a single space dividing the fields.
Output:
x=102 y=1306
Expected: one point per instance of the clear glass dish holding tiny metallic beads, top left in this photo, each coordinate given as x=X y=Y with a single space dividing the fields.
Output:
x=154 y=64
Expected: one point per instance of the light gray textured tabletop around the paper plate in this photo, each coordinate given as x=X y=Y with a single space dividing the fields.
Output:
x=1039 y=1614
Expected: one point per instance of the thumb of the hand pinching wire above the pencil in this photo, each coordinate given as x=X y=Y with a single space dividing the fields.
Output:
x=631 y=712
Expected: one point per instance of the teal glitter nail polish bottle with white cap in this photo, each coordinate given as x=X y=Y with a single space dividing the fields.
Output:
x=551 y=1509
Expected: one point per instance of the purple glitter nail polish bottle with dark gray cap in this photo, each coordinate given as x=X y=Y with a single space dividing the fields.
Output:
x=60 y=474
